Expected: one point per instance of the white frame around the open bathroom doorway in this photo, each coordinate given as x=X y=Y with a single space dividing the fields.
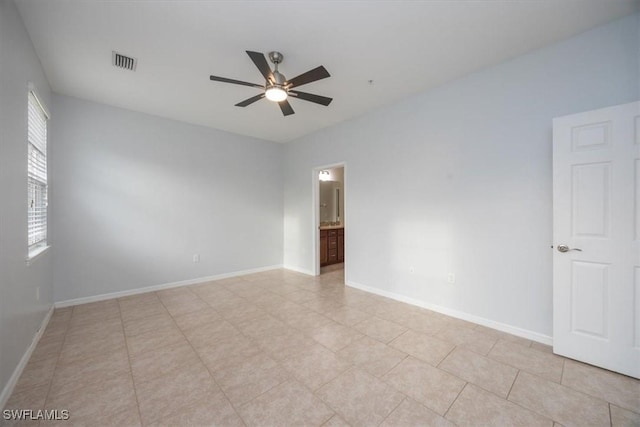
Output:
x=315 y=212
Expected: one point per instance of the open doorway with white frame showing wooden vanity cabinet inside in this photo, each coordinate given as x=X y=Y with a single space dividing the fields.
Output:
x=329 y=218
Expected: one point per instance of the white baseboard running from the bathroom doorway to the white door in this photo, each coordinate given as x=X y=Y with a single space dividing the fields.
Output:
x=524 y=333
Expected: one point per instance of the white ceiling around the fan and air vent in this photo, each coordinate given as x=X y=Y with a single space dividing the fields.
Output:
x=405 y=47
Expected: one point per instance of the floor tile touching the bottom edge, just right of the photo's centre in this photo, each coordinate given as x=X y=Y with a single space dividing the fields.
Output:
x=360 y=398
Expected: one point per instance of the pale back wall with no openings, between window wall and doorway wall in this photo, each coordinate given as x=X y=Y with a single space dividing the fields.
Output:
x=136 y=196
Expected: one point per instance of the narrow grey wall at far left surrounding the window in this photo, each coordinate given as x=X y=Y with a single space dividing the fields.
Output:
x=20 y=313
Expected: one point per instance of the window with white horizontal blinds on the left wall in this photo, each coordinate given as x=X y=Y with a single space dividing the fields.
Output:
x=36 y=175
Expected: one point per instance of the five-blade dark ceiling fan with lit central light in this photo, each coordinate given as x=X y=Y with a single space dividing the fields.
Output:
x=277 y=88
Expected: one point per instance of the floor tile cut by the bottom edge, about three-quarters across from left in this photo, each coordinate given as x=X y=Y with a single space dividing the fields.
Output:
x=476 y=406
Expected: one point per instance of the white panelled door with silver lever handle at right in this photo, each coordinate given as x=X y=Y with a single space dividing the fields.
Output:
x=596 y=233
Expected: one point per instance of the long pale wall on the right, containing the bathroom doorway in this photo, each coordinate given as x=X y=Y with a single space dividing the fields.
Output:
x=458 y=179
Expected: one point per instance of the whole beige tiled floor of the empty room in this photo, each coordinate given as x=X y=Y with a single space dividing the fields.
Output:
x=279 y=348
